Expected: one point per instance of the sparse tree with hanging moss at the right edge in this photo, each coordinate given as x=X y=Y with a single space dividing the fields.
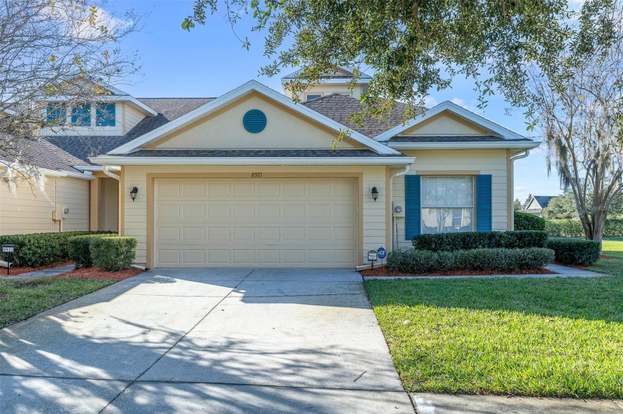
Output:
x=579 y=105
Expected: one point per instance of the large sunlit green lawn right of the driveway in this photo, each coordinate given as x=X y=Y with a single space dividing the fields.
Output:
x=560 y=337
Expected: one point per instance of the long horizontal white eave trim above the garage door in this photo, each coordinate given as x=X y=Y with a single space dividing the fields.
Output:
x=120 y=160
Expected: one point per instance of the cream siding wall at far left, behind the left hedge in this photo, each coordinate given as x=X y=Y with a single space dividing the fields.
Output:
x=29 y=208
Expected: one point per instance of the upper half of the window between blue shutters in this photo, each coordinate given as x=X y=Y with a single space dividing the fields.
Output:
x=447 y=192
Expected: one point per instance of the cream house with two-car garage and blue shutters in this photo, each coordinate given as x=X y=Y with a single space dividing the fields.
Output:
x=254 y=178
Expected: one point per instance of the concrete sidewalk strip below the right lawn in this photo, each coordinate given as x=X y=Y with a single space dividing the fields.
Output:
x=426 y=403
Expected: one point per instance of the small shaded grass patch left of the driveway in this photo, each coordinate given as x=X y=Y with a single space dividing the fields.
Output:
x=19 y=301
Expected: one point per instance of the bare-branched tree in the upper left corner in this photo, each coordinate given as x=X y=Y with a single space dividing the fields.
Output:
x=60 y=48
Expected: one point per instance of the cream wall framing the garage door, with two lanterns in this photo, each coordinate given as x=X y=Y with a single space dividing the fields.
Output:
x=372 y=227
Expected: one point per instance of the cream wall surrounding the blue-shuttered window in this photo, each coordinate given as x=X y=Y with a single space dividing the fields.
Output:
x=460 y=162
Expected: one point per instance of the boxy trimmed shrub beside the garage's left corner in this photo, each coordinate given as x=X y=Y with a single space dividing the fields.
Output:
x=113 y=253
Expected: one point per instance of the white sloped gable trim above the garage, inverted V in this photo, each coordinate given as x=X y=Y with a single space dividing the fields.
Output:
x=240 y=91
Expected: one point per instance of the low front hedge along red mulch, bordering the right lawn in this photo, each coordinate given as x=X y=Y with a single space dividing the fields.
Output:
x=494 y=260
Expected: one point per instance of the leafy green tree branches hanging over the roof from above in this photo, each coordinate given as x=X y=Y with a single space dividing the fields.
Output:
x=410 y=46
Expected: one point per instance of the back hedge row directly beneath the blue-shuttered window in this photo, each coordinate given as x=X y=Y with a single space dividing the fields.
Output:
x=475 y=240
